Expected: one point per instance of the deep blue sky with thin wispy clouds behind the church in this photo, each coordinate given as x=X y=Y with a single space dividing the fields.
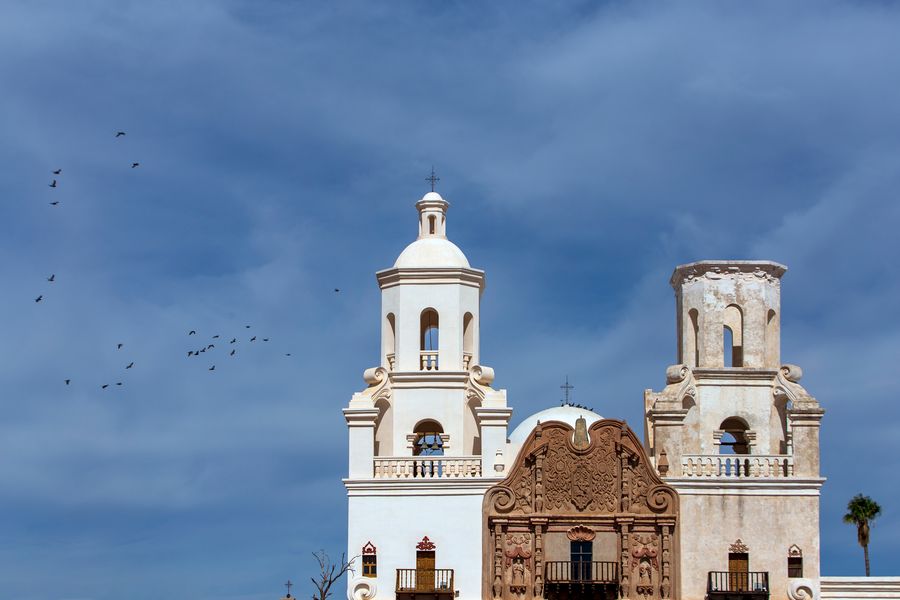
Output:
x=586 y=148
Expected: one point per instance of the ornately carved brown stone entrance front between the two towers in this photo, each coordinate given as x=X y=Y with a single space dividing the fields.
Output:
x=582 y=514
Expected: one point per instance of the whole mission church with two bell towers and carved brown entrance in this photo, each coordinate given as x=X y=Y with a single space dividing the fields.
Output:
x=717 y=498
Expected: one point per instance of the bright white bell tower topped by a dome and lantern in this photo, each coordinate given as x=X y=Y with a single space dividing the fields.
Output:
x=427 y=437
